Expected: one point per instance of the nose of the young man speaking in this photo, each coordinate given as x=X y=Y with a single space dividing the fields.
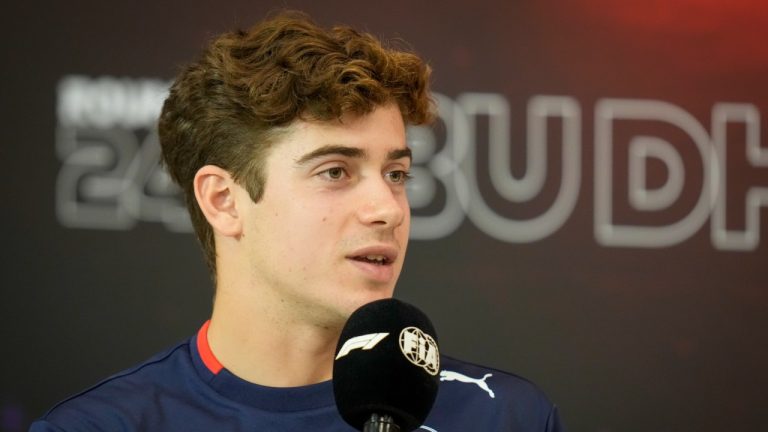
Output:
x=382 y=204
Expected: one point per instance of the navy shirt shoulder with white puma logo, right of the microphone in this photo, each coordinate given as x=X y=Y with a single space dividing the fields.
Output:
x=496 y=399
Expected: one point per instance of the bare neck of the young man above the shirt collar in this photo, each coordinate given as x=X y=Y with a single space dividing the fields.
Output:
x=268 y=346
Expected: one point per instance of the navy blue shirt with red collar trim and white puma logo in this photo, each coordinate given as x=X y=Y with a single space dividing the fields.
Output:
x=187 y=389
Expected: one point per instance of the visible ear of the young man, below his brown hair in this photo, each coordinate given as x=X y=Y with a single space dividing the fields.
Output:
x=215 y=191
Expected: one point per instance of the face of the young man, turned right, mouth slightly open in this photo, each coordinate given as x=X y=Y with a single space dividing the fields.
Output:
x=331 y=229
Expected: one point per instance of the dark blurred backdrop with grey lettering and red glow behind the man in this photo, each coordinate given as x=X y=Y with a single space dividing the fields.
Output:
x=623 y=270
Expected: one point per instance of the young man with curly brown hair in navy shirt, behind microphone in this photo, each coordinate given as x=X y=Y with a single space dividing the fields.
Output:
x=289 y=143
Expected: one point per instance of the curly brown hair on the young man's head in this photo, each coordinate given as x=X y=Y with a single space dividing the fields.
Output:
x=230 y=106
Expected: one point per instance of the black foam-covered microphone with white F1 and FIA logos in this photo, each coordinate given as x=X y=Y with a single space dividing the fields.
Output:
x=385 y=374
